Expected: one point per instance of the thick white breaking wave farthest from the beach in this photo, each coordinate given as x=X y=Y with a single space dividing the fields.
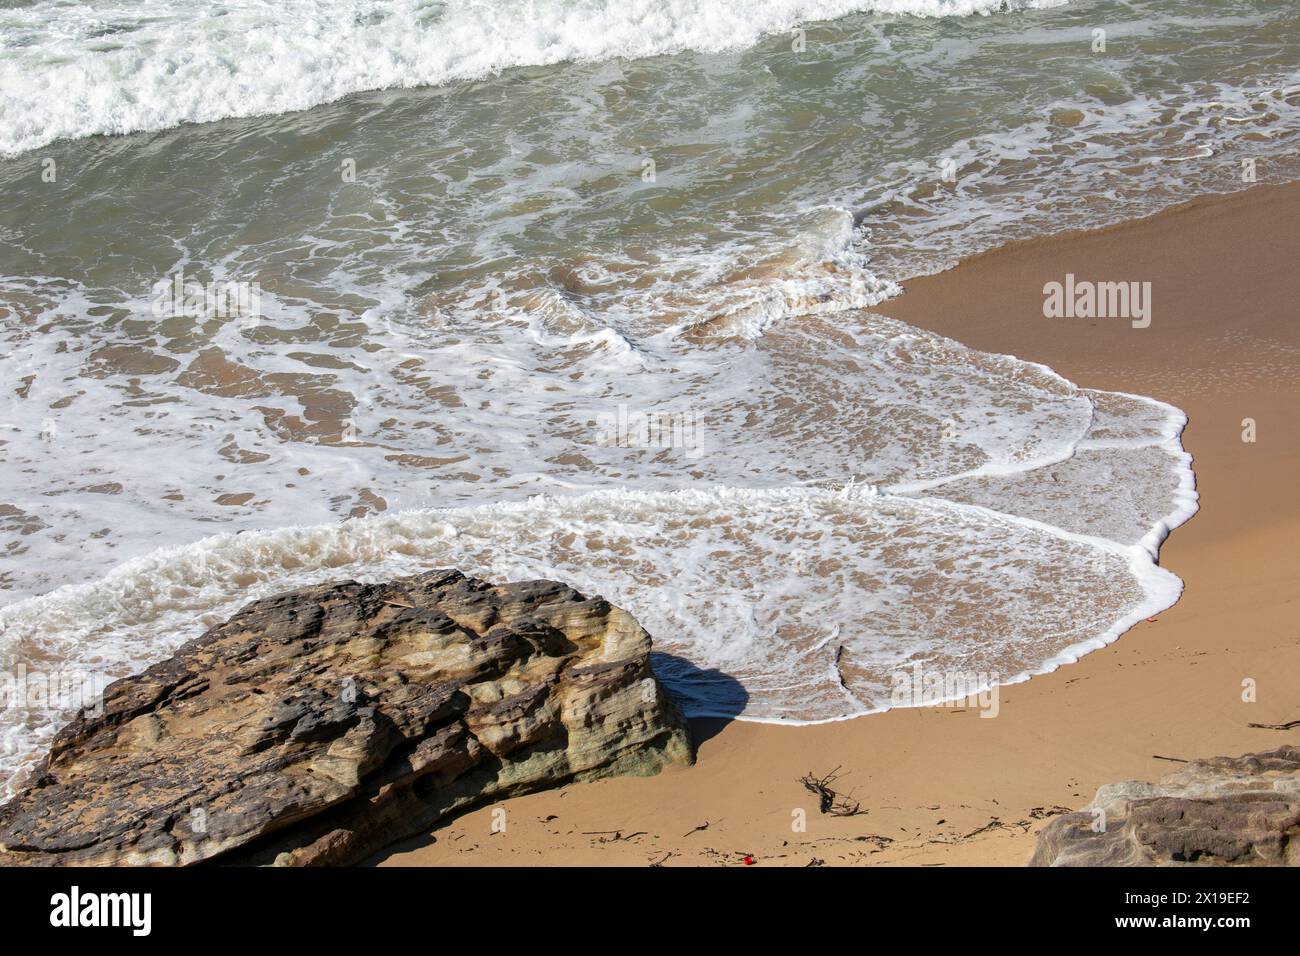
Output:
x=72 y=71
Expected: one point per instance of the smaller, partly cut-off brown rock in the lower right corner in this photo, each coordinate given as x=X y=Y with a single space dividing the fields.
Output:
x=1228 y=811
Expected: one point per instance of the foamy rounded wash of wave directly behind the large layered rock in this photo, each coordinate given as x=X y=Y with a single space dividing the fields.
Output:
x=746 y=582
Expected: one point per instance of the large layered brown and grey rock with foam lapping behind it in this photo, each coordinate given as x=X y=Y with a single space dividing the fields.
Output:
x=320 y=725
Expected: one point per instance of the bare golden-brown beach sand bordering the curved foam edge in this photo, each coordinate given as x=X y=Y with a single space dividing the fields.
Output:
x=944 y=786
